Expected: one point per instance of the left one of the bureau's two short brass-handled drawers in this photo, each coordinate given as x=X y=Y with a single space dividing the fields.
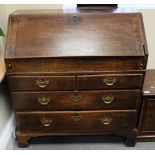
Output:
x=17 y=83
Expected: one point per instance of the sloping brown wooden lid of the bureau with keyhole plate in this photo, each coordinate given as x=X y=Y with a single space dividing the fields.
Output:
x=108 y=35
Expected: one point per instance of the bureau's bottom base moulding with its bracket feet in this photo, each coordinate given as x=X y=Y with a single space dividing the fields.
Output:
x=24 y=138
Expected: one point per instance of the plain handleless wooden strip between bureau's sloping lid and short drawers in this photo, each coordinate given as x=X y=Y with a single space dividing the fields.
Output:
x=75 y=64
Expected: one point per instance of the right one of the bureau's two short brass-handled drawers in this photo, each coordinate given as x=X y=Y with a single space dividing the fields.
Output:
x=110 y=81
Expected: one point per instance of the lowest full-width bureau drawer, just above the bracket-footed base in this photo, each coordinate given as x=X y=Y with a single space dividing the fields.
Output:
x=62 y=122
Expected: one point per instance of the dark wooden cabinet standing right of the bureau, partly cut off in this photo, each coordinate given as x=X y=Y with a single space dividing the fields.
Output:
x=146 y=130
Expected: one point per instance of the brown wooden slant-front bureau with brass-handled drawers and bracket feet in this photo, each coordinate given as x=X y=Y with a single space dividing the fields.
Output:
x=76 y=72
